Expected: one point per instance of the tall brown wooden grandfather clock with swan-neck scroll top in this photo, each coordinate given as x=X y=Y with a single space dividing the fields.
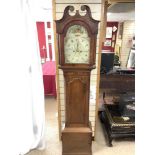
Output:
x=77 y=37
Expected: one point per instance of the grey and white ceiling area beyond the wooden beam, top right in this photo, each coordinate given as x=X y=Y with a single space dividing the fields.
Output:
x=121 y=12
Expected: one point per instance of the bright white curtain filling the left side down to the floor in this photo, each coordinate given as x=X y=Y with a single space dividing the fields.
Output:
x=22 y=114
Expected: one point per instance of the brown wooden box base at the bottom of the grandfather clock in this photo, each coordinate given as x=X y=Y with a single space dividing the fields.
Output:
x=77 y=141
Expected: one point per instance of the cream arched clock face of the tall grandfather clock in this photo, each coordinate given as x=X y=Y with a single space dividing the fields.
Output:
x=77 y=45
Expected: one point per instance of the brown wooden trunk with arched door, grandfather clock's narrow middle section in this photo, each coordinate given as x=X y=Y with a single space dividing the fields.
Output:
x=77 y=85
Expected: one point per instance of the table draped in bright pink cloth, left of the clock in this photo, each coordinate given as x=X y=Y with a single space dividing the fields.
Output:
x=49 y=72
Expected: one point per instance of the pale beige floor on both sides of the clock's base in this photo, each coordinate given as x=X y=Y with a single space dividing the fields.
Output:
x=54 y=146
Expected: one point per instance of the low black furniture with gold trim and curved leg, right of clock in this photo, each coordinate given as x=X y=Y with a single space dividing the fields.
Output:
x=119 y=119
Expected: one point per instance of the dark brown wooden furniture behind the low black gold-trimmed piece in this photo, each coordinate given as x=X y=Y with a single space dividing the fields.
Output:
x=118 y=82
